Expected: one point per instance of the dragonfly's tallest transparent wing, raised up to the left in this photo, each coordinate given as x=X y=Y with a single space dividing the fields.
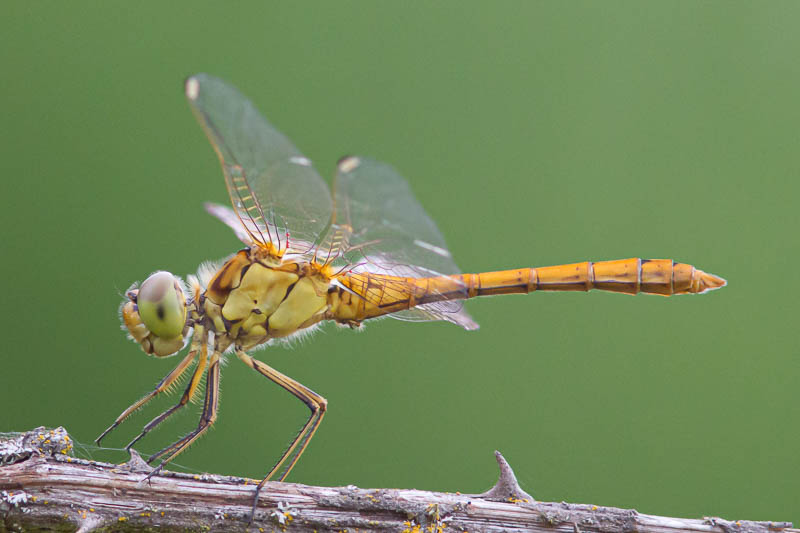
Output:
x=275 y=191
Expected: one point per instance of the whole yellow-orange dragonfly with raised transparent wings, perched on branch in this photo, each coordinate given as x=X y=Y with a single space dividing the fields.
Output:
x=363 y=251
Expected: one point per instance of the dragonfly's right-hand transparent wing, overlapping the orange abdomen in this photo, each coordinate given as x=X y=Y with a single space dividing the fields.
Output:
x=379 y=226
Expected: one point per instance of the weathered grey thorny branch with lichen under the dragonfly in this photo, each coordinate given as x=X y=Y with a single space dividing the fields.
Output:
x=42 y=487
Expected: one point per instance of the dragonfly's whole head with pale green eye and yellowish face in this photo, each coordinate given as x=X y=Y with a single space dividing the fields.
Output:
x=155 y=314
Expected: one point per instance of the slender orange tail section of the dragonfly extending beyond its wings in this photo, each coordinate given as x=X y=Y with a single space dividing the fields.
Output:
x=629 y=276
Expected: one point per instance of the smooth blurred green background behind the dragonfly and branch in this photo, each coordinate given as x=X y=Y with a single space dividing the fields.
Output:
x=534 y=134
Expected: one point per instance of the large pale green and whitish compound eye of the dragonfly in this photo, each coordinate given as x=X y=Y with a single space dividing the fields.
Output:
x=162 y=306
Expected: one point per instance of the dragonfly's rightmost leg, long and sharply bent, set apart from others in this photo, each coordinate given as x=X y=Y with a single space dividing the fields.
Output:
x=316 y=403
